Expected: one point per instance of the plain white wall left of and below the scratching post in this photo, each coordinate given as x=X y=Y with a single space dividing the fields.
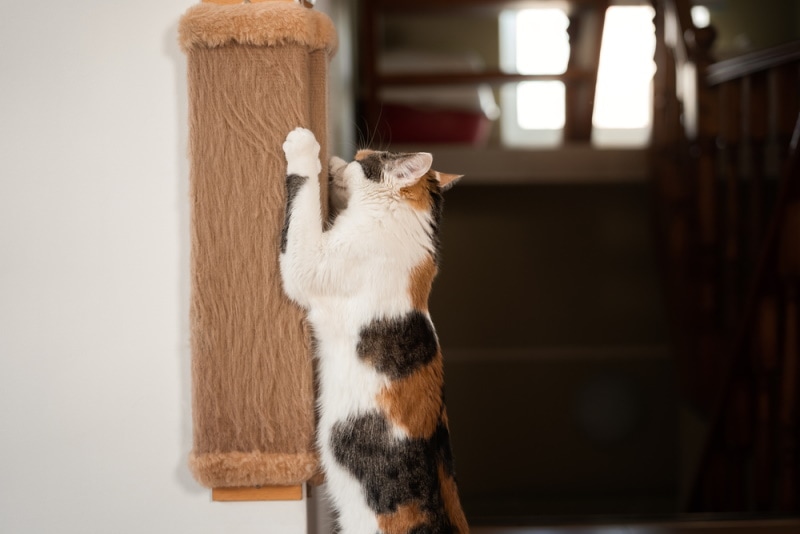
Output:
x=94 y=261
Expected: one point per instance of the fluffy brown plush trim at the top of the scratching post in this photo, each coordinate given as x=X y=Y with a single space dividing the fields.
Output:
x=260 y=24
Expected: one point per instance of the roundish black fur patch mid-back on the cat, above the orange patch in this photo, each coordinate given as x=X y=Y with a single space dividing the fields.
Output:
x=399 y=346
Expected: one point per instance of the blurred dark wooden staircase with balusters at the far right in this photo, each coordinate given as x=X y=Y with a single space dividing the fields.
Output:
x=726 y=176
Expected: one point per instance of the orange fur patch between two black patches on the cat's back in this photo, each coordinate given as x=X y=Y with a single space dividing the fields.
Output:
x=414 y=403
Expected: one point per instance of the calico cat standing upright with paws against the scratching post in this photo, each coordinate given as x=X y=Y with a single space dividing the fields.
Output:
x=364 y=282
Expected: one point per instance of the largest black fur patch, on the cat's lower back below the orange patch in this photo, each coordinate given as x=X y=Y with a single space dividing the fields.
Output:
x=395 y=472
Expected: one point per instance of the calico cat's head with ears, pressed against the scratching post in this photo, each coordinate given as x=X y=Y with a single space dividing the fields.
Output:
x=403 y=176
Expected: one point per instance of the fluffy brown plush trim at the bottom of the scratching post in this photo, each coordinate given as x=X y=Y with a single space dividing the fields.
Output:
x=237 y=469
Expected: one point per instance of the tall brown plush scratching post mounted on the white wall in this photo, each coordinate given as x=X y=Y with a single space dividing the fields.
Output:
x=256 y=71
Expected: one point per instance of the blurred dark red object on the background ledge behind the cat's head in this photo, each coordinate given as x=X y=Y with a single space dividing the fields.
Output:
x=406 y=124
